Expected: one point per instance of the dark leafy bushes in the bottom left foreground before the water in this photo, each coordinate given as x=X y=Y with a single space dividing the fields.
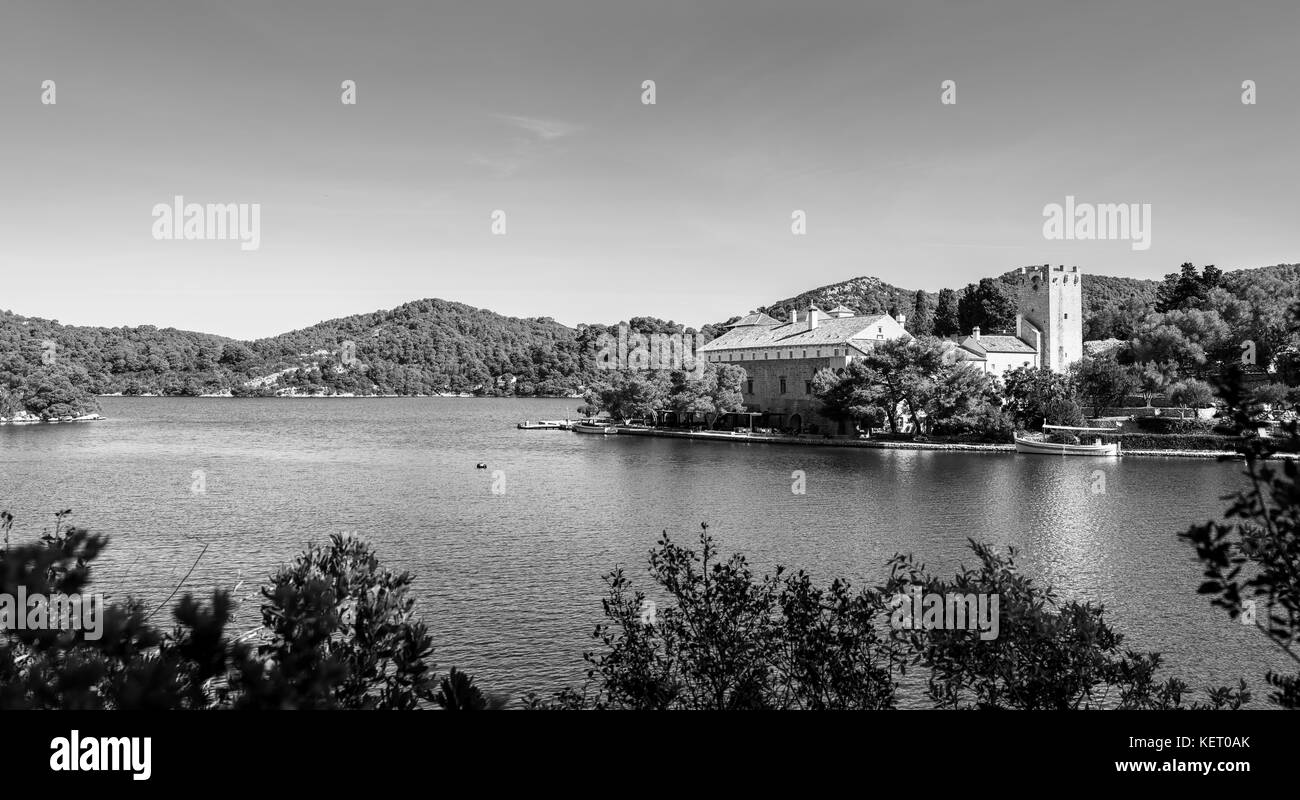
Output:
x=339 y=633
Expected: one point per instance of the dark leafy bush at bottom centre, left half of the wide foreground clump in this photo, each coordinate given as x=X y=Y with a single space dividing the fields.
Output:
x=731 y=641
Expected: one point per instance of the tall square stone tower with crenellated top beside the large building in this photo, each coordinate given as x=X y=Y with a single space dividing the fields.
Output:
x=1052 y=304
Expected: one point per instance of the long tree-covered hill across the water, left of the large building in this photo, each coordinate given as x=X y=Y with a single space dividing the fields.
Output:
x=422 y=348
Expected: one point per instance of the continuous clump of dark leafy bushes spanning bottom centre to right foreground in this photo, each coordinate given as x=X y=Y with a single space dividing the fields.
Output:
x=733 y=641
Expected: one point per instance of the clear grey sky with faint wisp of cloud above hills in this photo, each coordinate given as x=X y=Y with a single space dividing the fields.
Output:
x=614 y=207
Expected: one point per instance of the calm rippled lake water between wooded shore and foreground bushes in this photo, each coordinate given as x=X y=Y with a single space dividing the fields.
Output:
x=510 y=585
